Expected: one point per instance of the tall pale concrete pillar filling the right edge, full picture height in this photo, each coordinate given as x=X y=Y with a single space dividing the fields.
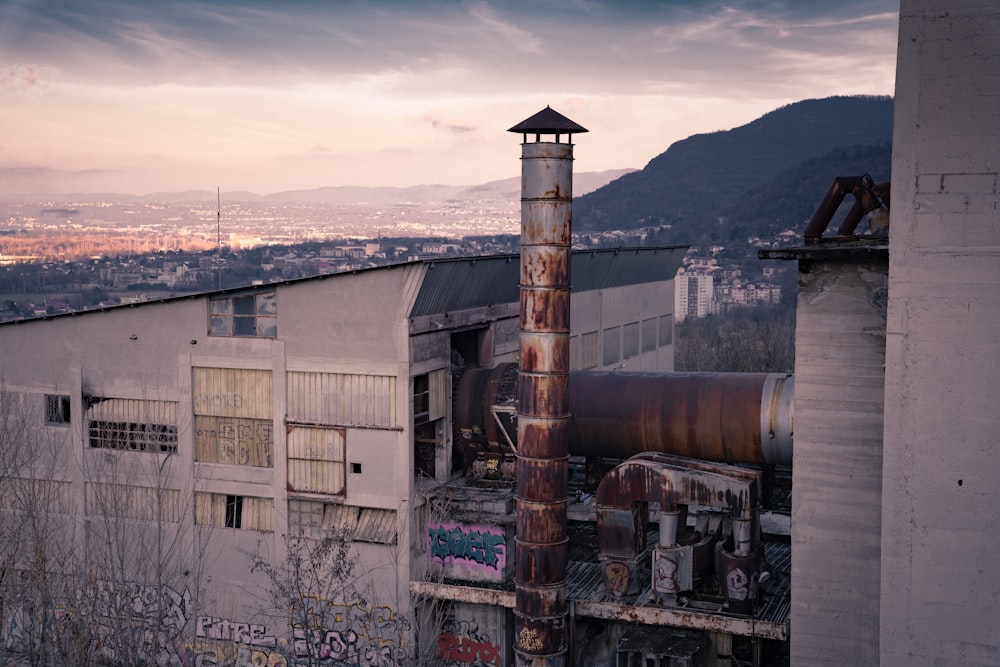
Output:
x=940 y=596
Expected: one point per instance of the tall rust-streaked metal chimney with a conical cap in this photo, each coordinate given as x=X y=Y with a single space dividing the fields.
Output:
x=540 y=608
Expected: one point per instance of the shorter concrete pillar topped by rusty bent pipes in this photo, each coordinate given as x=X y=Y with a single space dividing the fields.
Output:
x=836 y=475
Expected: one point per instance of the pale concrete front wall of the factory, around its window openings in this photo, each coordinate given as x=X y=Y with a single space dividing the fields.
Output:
x=148 y=352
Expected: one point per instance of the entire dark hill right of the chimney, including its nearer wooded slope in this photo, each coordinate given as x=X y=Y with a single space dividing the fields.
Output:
x=730 y=173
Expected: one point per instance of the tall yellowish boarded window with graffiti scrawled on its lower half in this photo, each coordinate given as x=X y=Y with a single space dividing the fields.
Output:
x=233 y=421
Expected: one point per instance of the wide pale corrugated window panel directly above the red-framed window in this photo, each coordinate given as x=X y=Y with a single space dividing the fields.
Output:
x=342 y=399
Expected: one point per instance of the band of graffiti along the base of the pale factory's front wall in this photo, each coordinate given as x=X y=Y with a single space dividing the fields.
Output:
x=355 y=634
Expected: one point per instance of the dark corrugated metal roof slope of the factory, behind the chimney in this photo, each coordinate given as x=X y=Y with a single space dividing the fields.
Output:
x=452 y=285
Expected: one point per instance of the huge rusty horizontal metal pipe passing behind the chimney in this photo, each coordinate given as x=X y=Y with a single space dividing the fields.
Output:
x=725 y=417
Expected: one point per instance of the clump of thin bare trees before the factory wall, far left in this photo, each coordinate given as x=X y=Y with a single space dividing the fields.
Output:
x=113 y=587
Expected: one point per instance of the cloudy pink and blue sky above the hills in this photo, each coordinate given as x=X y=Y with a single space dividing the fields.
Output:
x=269 y=95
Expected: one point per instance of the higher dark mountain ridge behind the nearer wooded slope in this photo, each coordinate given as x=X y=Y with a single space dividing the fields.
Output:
x=696 y=179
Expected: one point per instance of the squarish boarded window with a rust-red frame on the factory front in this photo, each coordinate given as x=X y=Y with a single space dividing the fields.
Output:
x=316 y=459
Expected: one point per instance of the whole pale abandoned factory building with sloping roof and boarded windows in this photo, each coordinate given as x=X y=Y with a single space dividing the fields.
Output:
x=223 y=422
